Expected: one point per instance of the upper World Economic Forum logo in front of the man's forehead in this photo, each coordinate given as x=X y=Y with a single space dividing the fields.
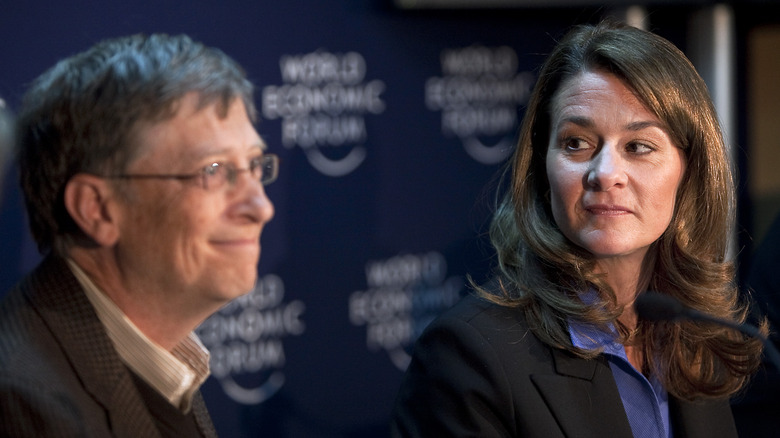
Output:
x=322 y=105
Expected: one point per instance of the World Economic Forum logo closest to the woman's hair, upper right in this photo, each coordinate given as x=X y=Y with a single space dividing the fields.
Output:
x=479 y=95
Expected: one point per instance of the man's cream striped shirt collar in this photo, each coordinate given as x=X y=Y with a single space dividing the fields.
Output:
x=176 y=375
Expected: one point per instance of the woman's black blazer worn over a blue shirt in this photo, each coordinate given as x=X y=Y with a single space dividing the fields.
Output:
x=478 y=371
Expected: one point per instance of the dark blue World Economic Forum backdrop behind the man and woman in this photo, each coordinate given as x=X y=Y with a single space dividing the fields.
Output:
x=392 y=126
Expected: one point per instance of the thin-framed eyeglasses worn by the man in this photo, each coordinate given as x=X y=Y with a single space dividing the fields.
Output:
x=264 y=169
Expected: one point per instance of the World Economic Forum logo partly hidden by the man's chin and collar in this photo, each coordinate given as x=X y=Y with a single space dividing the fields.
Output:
x=246 y=341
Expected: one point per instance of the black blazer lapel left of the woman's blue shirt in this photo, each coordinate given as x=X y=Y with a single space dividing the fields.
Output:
x=583 y=397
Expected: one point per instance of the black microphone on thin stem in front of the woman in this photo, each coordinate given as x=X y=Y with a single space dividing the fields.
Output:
x=653 y=306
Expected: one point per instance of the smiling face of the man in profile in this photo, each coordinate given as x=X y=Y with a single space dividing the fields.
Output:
x=198 y=247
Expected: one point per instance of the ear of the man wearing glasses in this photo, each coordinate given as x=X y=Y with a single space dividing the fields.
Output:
x=87 y=199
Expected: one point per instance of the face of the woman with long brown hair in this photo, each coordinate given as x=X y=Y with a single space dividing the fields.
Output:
x=612 y=167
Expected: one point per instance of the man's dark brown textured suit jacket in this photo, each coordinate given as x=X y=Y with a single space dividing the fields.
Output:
x=59 y=372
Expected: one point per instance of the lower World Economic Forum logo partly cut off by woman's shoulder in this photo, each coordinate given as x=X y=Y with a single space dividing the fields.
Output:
x=404 y=294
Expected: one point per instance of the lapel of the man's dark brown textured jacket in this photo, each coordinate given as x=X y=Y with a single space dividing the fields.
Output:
x=64 y=307
